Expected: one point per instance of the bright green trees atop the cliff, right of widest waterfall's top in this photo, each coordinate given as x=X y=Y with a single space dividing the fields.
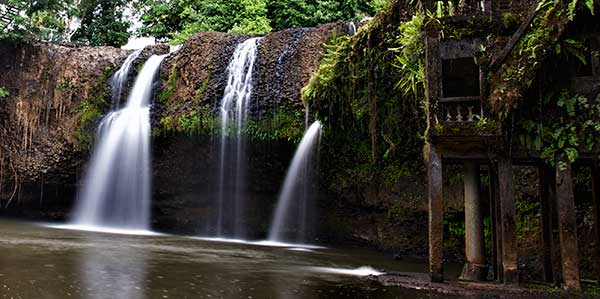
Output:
x=180 y=19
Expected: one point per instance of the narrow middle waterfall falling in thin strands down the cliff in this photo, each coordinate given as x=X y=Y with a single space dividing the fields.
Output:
x=232 y=163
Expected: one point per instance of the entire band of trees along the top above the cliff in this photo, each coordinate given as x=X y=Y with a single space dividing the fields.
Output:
x=106 y=22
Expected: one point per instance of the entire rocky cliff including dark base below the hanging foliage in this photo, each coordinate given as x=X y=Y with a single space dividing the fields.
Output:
x=58 y=94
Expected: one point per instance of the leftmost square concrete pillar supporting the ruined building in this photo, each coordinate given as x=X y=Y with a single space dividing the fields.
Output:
x=436 y=215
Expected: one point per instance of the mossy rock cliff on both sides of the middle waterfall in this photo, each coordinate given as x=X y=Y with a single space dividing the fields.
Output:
x=193 y=82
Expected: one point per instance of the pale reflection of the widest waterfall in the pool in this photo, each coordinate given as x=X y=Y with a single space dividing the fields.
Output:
x=112 y=271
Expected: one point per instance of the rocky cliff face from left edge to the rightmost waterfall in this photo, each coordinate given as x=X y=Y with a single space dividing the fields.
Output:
x=58 y=94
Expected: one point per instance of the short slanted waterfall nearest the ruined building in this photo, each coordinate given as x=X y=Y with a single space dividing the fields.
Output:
x=292 y=218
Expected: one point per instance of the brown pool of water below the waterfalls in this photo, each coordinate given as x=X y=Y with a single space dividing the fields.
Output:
x=46 y=262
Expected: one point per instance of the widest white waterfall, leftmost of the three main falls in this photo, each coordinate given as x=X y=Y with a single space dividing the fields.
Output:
x=116 y=188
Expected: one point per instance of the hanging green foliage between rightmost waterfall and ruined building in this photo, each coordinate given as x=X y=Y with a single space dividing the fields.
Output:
x=370 y=128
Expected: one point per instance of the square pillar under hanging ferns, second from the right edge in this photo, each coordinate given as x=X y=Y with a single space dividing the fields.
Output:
x=565 y=204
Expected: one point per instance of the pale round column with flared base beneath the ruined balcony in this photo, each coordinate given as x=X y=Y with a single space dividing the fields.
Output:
x=475 y=268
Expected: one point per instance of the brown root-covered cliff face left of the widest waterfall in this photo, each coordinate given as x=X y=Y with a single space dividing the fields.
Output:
x=43 y=119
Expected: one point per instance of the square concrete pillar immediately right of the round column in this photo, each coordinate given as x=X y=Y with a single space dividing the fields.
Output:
x=507 y=218
